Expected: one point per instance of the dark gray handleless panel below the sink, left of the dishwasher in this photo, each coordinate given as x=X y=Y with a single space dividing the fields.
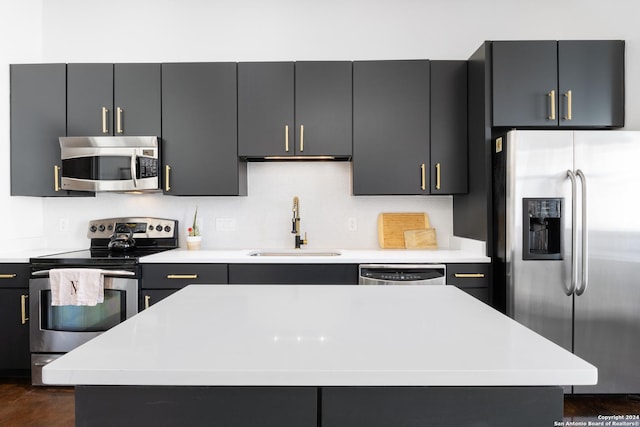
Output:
x=293 y=274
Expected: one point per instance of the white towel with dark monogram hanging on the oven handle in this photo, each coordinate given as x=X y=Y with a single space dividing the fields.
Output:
x=76 y=286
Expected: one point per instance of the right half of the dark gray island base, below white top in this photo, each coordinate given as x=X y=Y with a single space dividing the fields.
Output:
x=441 y=406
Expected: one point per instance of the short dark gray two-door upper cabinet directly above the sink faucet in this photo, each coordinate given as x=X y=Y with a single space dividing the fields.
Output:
x=287 y=109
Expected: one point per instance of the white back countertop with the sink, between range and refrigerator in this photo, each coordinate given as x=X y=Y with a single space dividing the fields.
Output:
x=347 y=256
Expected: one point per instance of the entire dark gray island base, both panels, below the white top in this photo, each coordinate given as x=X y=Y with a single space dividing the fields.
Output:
x=320 y=407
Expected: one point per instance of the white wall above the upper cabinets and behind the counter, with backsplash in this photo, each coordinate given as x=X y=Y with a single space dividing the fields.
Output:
x=242 y=30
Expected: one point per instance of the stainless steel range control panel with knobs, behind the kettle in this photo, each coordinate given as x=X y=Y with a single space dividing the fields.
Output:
x=152 y=228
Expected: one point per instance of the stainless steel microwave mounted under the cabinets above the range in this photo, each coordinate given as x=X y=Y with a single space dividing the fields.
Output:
x=109 y=163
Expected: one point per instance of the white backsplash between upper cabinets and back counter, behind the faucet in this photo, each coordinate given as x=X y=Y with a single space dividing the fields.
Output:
x=262 y=219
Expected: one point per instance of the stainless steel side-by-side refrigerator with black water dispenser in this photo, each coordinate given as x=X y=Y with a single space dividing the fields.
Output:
x=567 y=213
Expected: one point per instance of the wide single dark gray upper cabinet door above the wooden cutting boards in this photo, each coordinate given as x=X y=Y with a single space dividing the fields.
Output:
x=390 y=127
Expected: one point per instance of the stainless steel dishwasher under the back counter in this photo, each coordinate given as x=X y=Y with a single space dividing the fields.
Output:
x=402 y=274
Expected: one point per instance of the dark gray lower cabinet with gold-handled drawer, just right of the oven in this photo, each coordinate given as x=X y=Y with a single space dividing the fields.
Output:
x=161 y=280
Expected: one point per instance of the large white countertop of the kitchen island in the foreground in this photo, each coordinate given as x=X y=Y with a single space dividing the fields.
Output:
x=320 y=335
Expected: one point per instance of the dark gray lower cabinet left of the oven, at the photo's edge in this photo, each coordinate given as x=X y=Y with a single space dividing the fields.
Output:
x=15 y=357
